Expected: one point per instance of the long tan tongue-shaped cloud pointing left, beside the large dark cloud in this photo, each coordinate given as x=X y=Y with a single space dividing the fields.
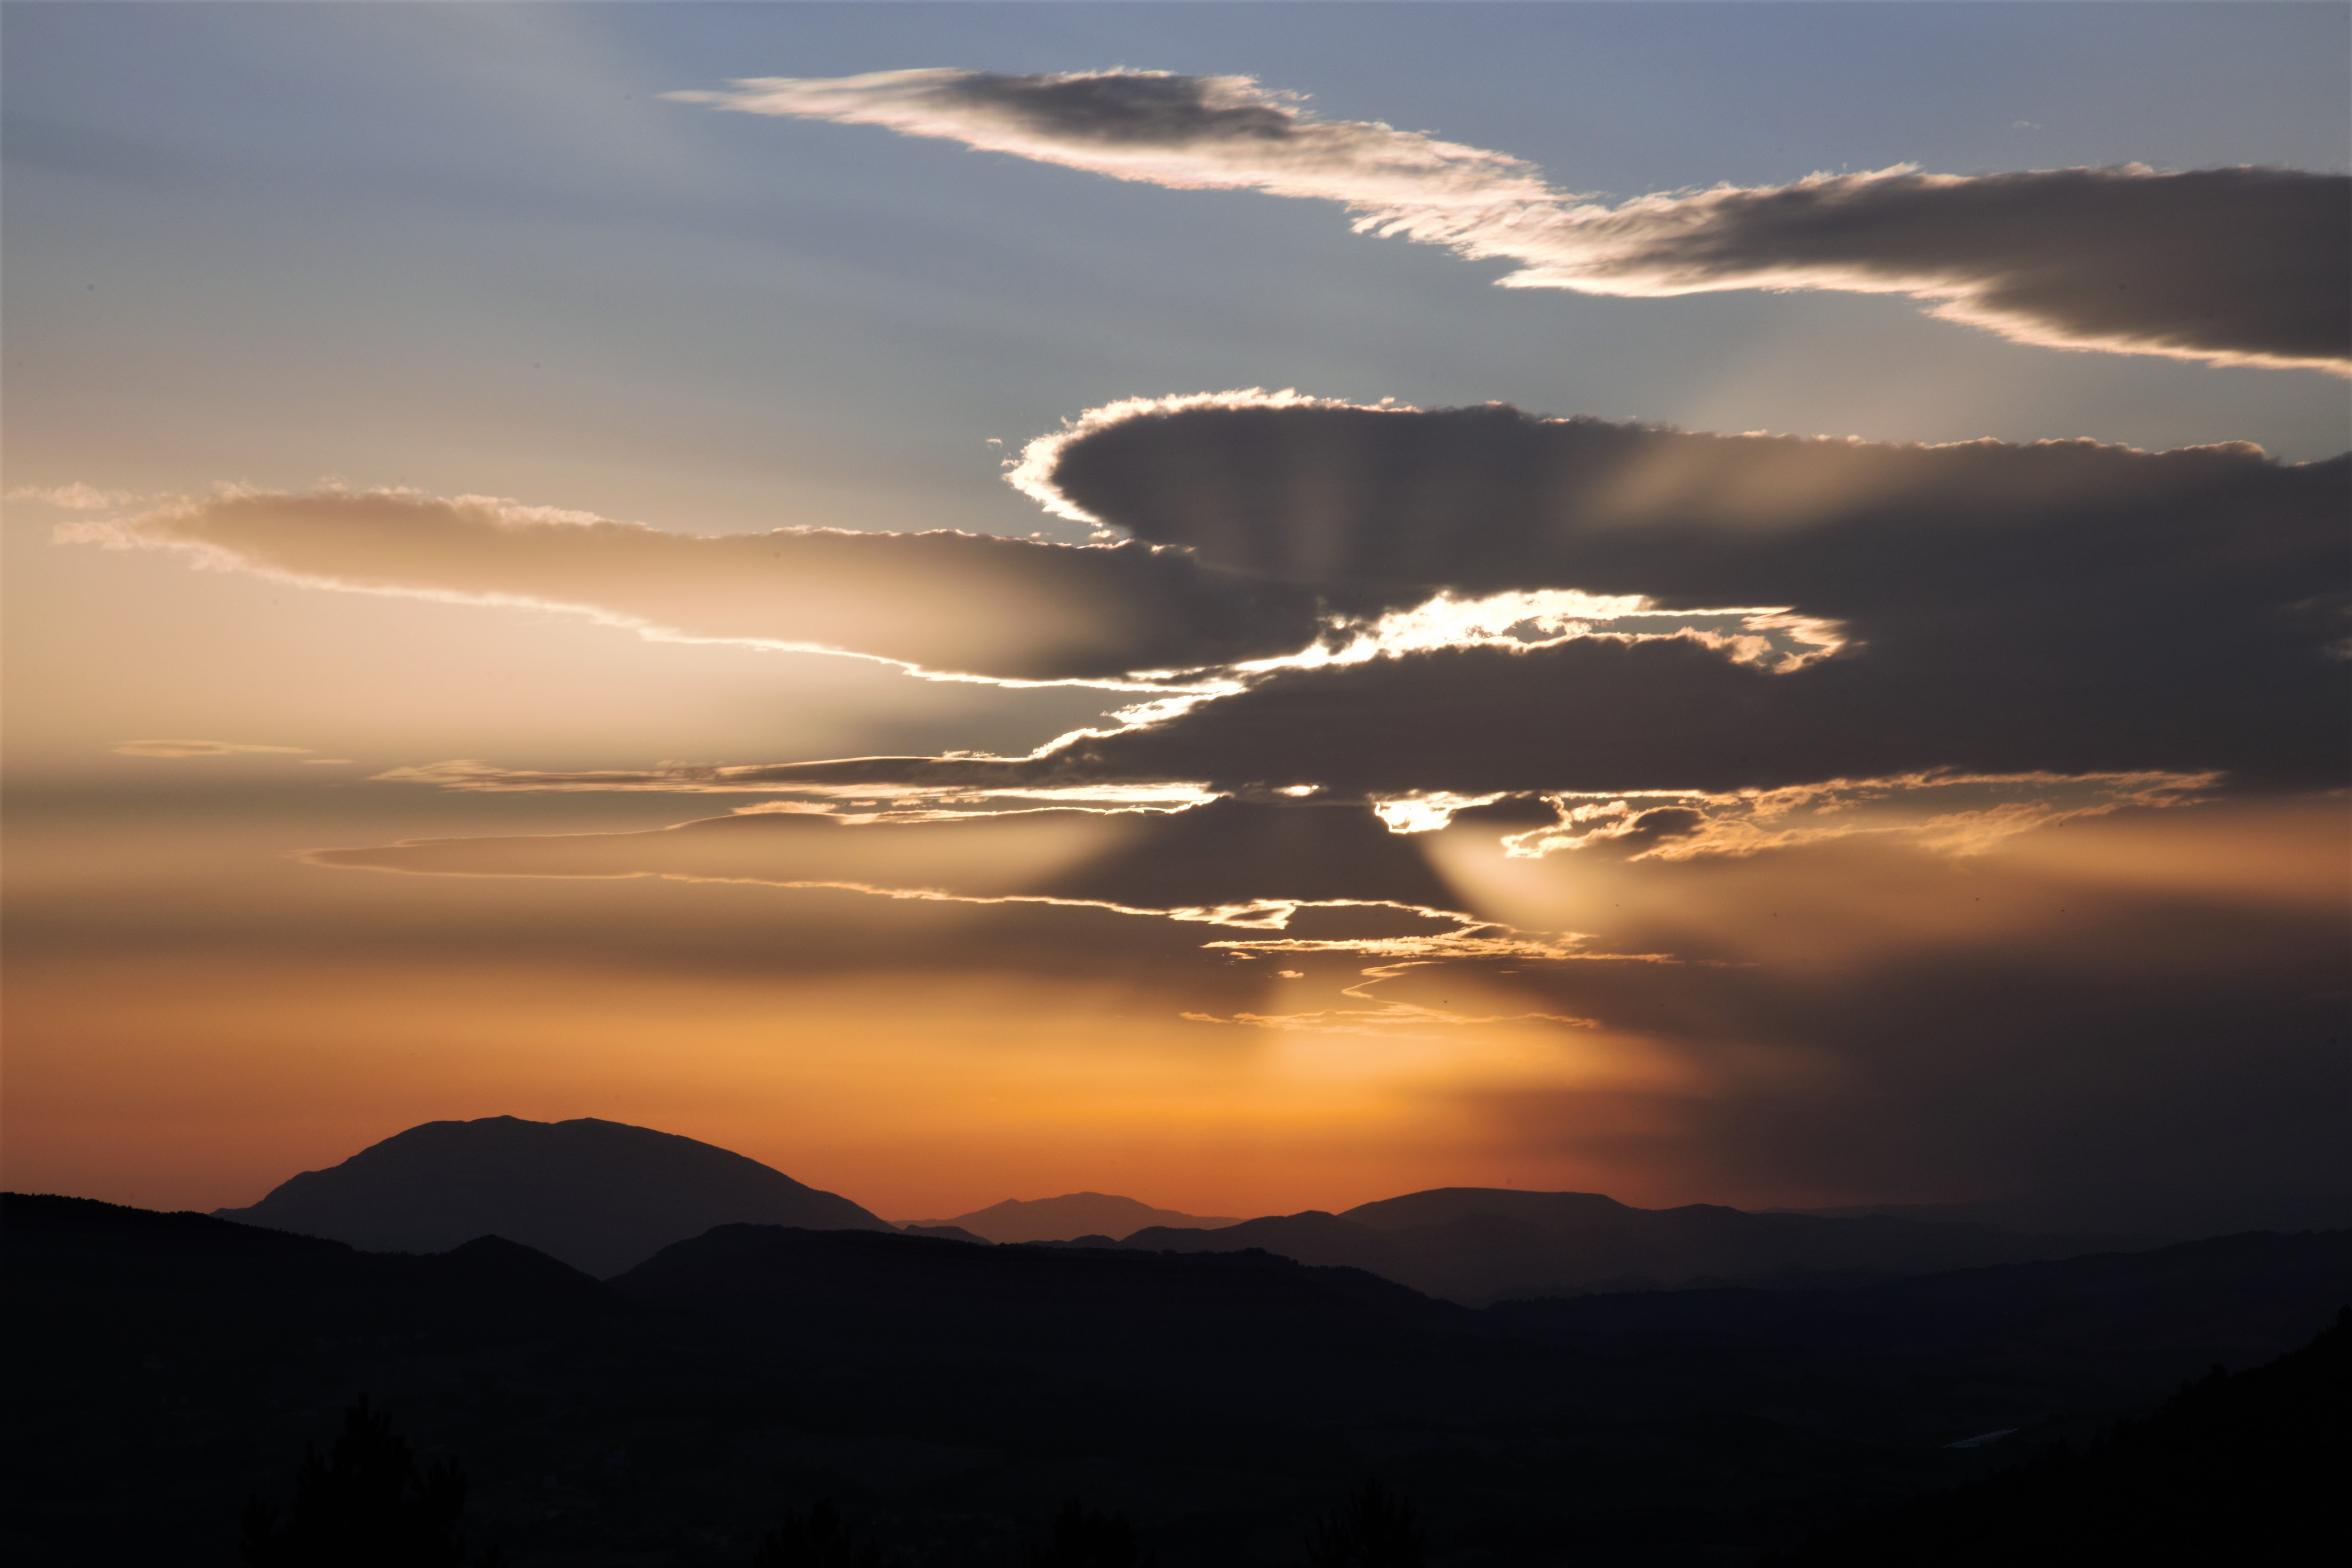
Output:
x=940 y=603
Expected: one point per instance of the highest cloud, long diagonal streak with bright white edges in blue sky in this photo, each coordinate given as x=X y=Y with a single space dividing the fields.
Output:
x=2233 y=267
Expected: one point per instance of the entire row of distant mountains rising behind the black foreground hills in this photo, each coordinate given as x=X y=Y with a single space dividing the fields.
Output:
x=603 y=1198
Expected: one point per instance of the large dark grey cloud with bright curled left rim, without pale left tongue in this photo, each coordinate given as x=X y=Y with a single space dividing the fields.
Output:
x=2052 y=608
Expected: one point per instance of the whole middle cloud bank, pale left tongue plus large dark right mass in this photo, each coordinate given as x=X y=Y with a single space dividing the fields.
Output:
x=1387 y=603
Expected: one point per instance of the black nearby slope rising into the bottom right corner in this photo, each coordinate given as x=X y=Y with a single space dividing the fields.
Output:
x=2238 y=1468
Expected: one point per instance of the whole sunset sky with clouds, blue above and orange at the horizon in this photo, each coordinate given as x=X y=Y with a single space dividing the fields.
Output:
x=1248 y=605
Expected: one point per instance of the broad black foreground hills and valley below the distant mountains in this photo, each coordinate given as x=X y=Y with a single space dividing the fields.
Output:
x=951 y=1398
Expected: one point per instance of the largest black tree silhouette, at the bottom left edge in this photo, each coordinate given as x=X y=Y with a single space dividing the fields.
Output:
x=366 y=1506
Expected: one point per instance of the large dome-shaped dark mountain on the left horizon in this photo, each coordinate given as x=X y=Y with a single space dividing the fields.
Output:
x=599 y=1195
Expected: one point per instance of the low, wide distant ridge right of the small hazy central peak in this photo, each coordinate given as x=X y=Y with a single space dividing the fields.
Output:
x=1483 y=1245
